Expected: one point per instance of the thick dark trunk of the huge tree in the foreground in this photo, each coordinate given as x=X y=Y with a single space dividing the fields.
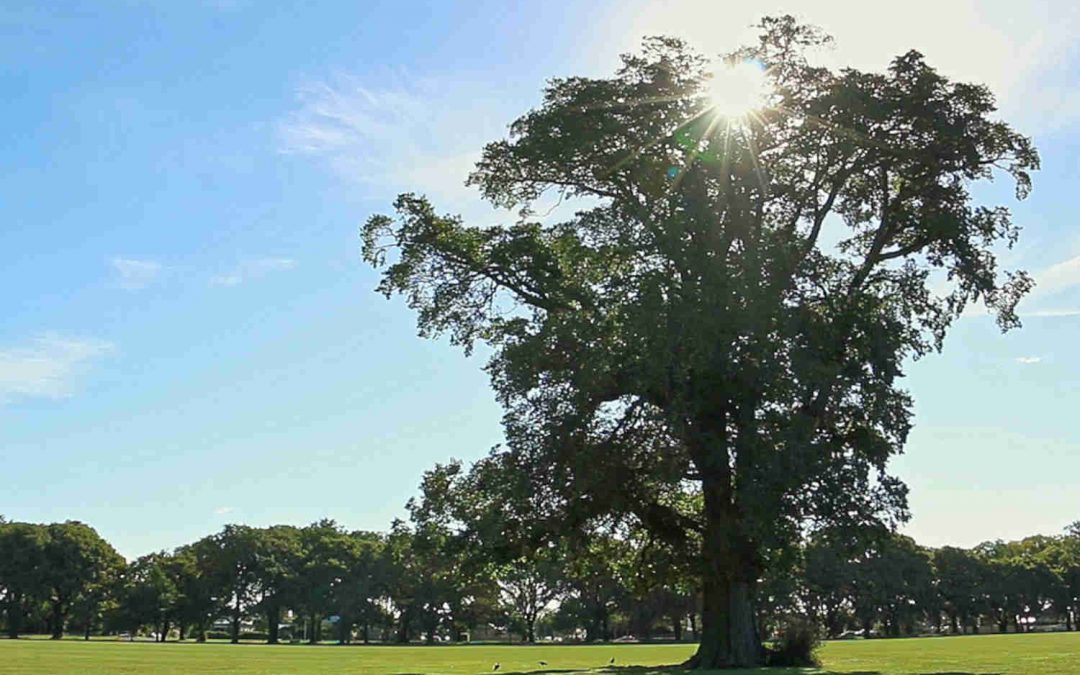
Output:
x=730 y=634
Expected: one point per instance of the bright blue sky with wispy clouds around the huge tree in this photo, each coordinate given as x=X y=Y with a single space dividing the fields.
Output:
x=190 y=337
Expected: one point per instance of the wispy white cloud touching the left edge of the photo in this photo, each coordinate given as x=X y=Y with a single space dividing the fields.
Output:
x=47 y=368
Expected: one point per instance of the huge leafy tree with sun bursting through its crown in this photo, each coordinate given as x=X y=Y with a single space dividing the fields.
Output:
x=730 y=313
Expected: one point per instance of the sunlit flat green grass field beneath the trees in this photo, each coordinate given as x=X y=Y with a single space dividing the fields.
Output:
x=997 y=655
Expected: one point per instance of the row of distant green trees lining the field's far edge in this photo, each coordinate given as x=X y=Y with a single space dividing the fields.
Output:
x=465 y=566
